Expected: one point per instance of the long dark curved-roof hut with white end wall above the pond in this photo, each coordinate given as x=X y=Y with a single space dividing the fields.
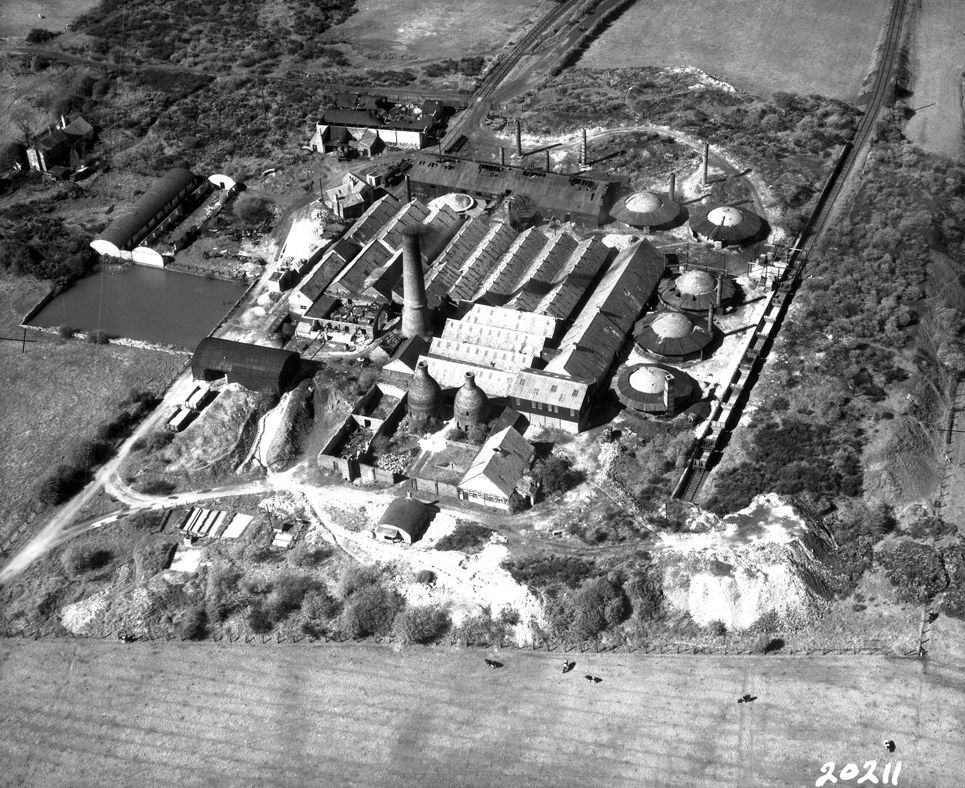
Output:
x=149 y=211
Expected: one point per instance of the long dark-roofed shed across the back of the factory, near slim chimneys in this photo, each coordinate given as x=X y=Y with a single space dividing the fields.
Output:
x=578 y=198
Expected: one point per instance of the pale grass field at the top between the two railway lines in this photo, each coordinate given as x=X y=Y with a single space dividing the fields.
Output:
x=802 y=46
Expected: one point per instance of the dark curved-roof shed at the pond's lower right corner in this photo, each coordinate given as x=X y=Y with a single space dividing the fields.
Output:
x=255 y=367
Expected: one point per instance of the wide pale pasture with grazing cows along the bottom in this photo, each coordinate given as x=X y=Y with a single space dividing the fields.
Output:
x=84 y=712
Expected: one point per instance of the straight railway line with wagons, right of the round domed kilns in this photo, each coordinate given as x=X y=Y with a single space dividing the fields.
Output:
x=704 y=459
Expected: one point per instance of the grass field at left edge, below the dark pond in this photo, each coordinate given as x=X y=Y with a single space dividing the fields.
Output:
x=57 y=394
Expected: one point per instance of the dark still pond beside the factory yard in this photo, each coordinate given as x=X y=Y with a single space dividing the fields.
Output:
x=150 y=304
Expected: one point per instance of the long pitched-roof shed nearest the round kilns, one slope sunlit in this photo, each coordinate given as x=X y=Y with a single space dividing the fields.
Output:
x=598 y=333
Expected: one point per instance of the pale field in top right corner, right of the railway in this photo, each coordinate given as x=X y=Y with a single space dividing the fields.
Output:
x=938 y=59
